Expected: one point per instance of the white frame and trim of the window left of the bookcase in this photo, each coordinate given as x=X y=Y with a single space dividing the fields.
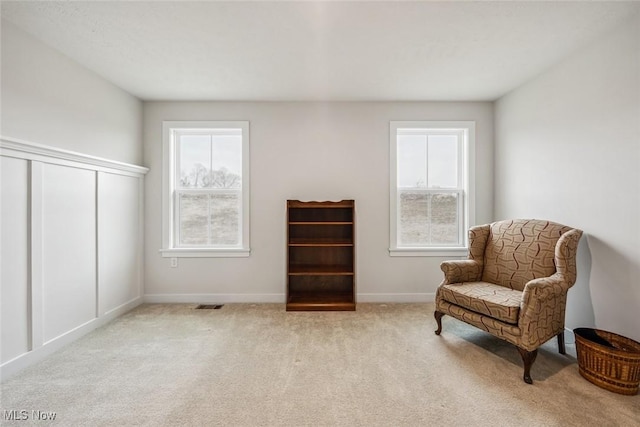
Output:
x=170 y=246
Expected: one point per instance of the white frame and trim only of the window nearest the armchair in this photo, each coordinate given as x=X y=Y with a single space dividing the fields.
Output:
x=467 y=174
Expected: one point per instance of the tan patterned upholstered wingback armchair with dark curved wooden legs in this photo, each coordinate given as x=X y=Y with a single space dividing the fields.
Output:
x=514 y=283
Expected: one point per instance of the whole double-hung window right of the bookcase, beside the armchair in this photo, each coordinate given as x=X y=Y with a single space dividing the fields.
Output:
x=431 y=191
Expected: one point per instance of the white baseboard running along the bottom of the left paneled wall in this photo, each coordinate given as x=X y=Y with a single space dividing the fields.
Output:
x=12 y=367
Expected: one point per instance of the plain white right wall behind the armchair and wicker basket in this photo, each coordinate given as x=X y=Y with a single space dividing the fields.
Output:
x=568 y=150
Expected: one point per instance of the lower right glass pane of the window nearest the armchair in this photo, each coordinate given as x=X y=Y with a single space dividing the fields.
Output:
x=444 y=218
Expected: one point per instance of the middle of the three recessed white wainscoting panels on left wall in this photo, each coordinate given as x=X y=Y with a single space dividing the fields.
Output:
x=68 y=249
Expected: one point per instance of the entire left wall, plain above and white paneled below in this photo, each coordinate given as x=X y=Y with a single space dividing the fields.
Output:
x=71 y=205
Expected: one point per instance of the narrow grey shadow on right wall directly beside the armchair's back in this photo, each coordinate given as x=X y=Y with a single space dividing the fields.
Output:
x=580 y=312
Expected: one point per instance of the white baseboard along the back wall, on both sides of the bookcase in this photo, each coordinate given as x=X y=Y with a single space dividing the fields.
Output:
x=275 y=298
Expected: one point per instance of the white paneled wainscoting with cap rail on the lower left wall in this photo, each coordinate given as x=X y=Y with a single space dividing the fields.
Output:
x=72 y=247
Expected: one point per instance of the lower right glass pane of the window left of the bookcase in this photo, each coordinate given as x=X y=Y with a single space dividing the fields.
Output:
x=225 y=219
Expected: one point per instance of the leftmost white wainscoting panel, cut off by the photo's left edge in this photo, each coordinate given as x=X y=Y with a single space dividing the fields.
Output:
x=14 y=258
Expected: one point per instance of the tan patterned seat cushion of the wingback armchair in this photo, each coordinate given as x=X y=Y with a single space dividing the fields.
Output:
x=486 y=298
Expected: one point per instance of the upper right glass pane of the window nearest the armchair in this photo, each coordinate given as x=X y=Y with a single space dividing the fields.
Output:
x=443 y=161
